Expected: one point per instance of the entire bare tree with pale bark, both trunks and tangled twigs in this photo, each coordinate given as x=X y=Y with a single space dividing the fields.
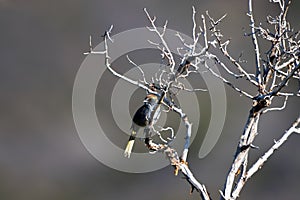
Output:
x=273 y=72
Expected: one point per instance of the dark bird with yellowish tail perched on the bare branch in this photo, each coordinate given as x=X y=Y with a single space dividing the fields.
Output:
x=148 y=113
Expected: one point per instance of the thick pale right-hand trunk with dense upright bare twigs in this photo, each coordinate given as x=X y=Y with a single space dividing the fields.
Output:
x=268 y=89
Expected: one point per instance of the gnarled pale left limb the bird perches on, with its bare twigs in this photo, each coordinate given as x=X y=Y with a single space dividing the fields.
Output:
x=180 y=163
